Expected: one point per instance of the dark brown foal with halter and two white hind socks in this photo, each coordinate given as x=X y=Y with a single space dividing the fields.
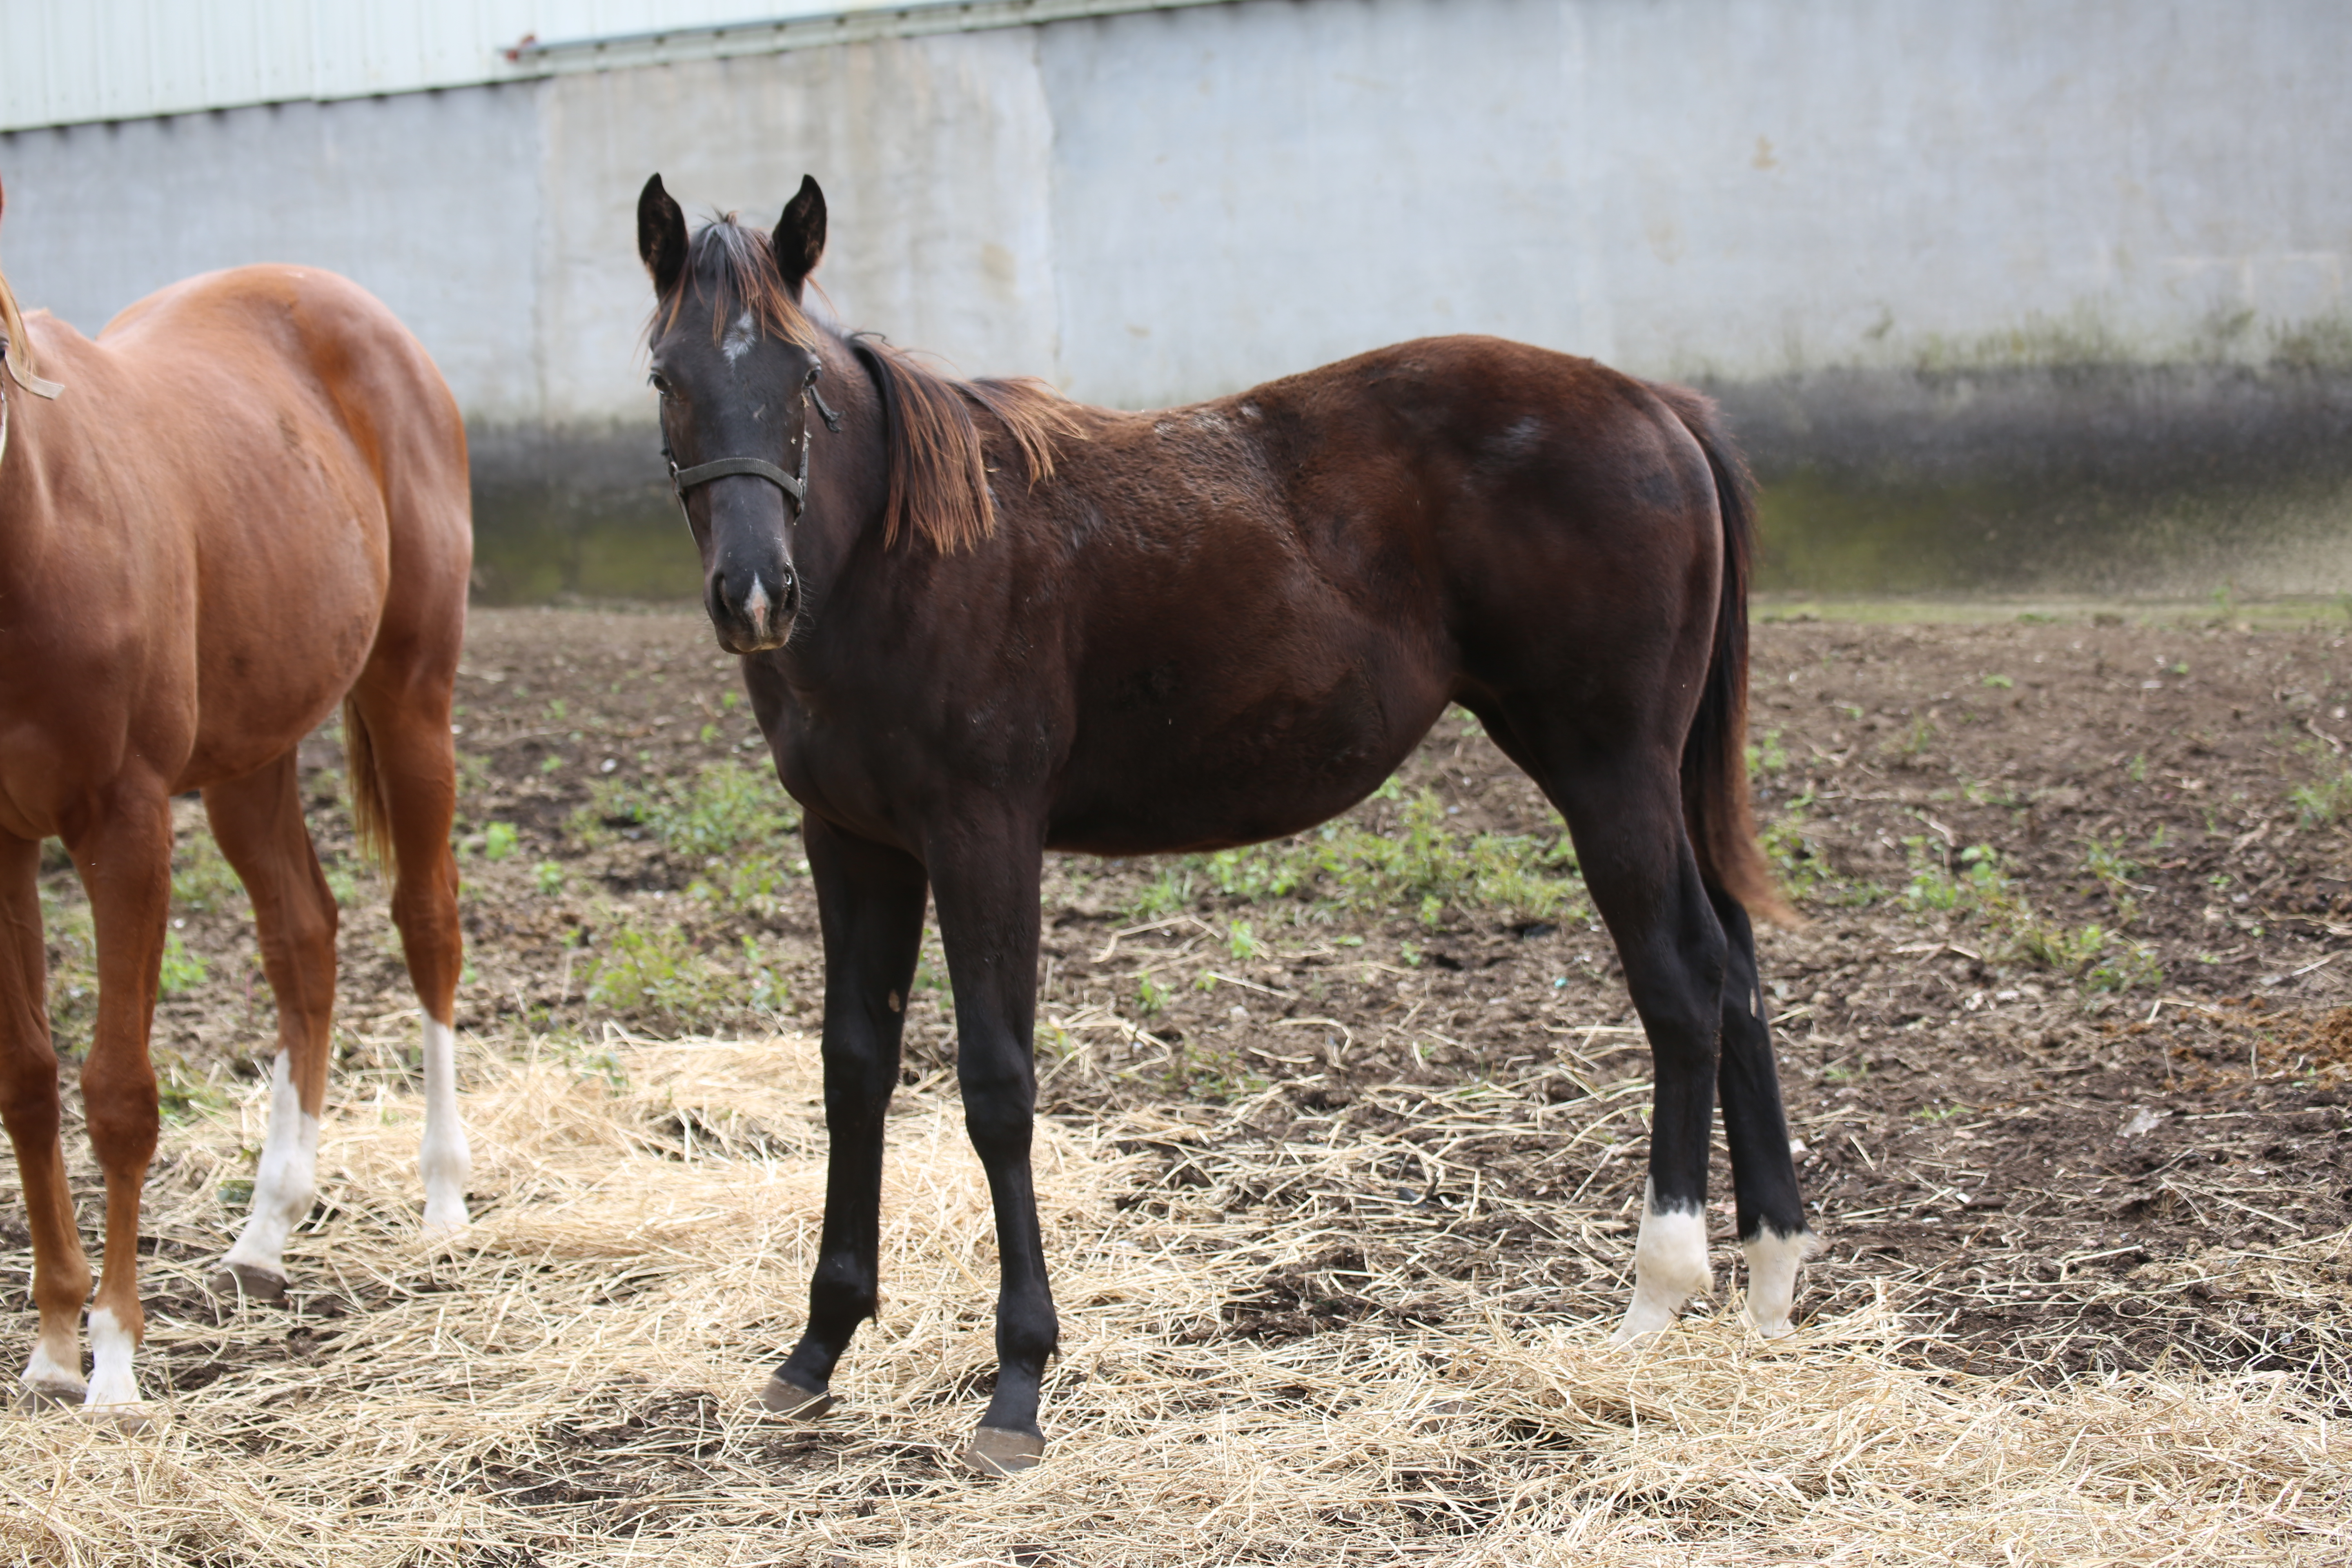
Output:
x=982 y=622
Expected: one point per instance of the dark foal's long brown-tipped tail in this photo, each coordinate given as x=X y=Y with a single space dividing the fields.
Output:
x=1716 y=753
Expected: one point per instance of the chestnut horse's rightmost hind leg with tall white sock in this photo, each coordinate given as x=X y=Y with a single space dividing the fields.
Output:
x=415 y=768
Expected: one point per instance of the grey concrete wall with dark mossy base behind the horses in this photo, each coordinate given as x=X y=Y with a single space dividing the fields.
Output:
x=2073 y=269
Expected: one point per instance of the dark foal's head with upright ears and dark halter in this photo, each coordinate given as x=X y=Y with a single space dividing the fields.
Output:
x=735 y=363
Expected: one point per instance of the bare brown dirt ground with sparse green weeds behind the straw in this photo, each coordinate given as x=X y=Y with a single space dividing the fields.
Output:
x=2064 y=1040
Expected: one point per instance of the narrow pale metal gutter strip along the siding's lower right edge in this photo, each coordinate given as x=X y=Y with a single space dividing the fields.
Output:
x=726 y=41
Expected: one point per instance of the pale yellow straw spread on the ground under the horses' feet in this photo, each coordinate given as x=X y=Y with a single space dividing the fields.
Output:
x=575 y=1386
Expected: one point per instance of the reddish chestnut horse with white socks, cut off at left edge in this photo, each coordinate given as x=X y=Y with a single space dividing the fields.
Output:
x=246 y=507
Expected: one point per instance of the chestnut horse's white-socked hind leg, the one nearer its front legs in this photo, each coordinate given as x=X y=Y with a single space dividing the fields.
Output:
x=258 y=819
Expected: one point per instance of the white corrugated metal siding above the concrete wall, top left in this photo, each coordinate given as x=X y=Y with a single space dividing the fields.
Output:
x=69 y=62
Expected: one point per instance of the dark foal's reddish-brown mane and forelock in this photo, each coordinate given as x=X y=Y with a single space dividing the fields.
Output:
x=935 y=448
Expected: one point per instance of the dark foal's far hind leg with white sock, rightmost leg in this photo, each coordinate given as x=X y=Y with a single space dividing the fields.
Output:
x=1763 y=1172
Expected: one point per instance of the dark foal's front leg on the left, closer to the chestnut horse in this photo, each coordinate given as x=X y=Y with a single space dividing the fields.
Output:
x=869 y=904
